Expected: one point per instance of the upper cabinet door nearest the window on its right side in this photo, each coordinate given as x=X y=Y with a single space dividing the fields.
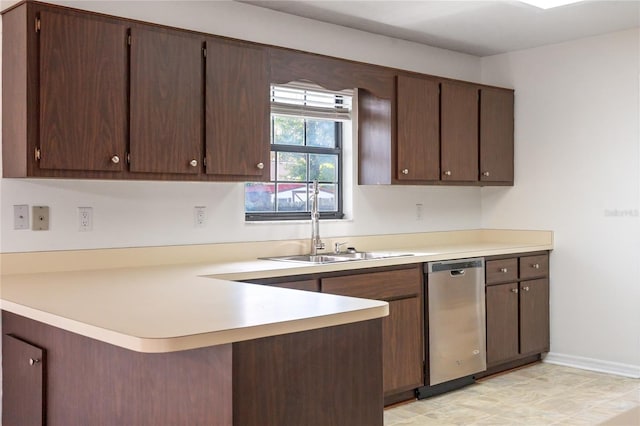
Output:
x=418 y=129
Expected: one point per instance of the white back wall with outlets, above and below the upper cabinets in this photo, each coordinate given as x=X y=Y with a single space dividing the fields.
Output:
x=161 y=213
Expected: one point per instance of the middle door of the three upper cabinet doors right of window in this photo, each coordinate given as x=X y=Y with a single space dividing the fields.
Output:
x=459 y=132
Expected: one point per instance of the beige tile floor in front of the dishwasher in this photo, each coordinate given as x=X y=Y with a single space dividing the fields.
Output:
x=541 y=394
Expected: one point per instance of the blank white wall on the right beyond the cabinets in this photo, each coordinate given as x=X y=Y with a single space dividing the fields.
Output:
x=577 y=164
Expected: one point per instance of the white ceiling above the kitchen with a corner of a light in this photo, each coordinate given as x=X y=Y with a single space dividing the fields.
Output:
x=479 y=28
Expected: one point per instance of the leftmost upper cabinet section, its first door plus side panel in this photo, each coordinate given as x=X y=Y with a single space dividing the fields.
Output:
x=65 y=84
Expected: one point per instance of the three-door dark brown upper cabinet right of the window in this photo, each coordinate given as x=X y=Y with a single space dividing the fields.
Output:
x=442 y=132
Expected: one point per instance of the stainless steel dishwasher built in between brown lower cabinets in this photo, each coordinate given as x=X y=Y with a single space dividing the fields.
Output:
x=455 y=324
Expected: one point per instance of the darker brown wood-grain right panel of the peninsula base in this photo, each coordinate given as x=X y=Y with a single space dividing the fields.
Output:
x=329 y=376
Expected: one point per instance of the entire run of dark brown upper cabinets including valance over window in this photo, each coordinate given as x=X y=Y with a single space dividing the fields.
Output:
x=87 y=95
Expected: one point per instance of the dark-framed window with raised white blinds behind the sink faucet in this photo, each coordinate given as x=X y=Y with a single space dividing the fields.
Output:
x=306 y=145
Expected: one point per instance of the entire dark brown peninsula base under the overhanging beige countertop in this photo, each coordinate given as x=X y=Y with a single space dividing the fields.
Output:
x=328 y=376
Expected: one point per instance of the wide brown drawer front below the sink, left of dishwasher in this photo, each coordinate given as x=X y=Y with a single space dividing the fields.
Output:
x=376 y=285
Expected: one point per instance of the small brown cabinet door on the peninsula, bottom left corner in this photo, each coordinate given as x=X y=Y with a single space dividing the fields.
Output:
x=23 y=383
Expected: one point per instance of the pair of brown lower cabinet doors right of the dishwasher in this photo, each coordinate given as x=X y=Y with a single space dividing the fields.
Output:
x=517 y=320
